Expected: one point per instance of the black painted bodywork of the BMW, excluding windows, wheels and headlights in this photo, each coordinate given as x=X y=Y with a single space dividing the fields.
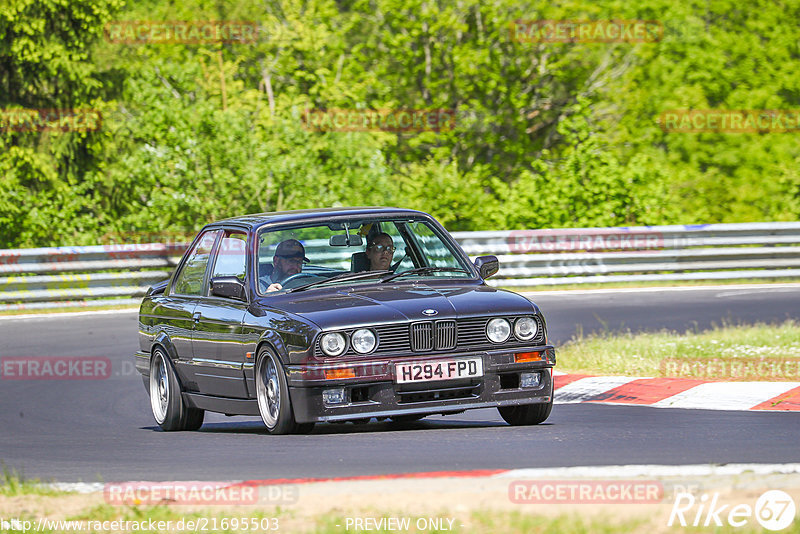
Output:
x=212 y=340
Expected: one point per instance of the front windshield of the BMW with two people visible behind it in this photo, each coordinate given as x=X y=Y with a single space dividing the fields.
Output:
x=346 y=252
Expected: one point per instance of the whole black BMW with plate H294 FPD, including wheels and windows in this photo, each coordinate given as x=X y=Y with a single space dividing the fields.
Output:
x=334 y=315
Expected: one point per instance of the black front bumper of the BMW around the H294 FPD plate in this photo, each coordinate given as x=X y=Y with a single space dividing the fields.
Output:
x=374 y=392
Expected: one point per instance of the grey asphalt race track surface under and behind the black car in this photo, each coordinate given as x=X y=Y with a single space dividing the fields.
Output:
x=102 y=430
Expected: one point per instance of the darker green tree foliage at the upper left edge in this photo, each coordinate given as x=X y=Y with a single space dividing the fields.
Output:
x=45 y=64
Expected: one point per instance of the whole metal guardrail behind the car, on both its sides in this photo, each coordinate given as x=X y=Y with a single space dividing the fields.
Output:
x=118 y=274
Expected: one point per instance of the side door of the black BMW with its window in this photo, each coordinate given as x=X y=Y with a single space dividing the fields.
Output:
x=218 y=347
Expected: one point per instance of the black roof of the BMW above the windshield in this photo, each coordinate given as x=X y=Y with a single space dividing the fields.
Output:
x=257 y=220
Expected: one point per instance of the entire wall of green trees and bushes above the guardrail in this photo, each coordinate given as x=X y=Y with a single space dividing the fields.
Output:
x=546 y=134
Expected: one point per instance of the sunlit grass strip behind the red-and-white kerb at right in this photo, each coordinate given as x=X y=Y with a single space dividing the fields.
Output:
x=643 y=354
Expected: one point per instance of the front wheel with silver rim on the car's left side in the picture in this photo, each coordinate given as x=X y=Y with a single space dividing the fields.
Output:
x=272 y=392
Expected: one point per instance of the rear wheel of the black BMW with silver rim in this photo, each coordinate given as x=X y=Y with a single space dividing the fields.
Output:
x=166 y=402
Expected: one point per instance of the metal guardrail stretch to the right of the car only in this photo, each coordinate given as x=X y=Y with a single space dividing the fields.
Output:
x=646 y=253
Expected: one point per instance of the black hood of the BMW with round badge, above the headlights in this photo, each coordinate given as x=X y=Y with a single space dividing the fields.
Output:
x=356 y=306
